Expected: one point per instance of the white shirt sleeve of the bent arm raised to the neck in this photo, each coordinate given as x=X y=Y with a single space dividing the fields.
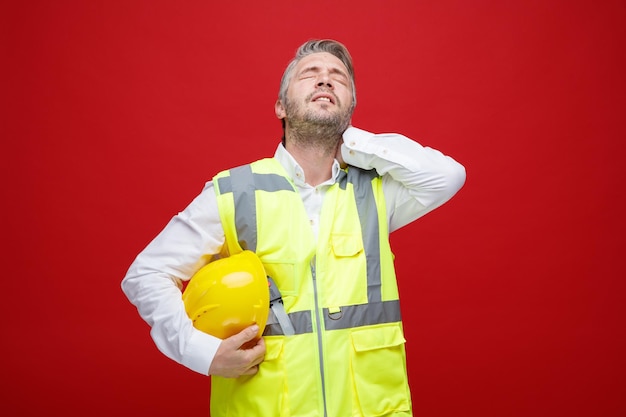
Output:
x=416 y=179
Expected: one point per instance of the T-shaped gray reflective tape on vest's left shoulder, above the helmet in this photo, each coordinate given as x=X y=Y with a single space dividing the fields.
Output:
x=243 y=183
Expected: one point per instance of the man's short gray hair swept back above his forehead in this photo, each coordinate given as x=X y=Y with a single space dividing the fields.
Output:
x=312 y=47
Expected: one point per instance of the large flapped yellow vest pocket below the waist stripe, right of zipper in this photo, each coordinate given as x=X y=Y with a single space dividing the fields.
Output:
x=379 y=370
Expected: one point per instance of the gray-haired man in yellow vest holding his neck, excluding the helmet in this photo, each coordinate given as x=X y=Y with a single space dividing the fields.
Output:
x=319 y=219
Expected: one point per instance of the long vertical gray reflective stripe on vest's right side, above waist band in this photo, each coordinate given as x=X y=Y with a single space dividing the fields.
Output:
x=368 y=216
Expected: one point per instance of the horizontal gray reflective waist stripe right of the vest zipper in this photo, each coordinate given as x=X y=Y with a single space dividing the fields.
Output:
x=363 y=315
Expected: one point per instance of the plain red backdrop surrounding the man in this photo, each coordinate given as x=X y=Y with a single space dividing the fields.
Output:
x=114 y=114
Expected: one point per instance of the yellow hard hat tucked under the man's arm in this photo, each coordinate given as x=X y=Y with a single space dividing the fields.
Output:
x=228 y=295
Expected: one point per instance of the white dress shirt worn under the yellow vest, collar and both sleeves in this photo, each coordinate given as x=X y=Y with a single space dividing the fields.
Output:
x=416 y=180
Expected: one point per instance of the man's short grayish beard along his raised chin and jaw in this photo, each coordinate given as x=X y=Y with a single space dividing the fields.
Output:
x=312 y=131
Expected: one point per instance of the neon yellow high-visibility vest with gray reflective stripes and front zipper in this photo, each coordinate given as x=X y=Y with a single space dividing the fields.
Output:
x=347 y=356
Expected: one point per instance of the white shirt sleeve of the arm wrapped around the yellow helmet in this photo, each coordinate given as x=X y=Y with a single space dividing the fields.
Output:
x=152 y=282
